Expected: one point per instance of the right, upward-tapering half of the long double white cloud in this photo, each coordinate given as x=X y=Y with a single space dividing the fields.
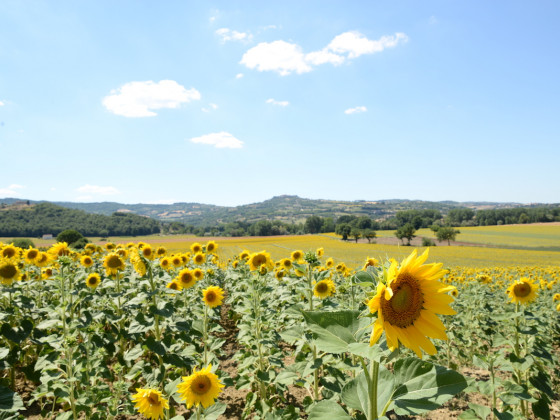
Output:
x=355 y=44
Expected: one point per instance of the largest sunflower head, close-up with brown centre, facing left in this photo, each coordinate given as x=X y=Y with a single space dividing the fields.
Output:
x=408 y=302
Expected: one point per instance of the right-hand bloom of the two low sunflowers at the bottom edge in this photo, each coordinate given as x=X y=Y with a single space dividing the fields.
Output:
x=202 y=387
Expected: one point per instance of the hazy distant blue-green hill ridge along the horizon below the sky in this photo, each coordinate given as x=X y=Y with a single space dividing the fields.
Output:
x=286 y=208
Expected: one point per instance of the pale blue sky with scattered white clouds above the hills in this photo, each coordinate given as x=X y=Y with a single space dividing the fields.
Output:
x=233 y=102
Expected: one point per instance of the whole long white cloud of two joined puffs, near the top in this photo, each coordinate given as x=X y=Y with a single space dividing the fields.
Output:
x=286 y=58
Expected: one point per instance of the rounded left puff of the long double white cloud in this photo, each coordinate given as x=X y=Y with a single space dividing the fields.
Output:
x=279 y=56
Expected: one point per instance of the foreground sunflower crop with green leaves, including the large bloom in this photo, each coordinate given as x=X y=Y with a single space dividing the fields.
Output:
x=138 y=331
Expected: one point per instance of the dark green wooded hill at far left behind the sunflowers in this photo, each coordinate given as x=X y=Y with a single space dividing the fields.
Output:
x=47 y=218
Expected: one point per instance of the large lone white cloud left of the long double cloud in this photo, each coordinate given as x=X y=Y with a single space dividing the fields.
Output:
x=139 y=99
